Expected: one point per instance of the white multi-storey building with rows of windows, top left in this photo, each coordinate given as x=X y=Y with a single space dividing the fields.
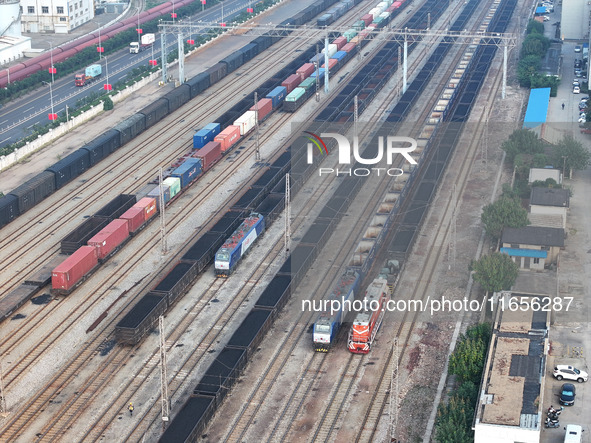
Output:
x=55 y=16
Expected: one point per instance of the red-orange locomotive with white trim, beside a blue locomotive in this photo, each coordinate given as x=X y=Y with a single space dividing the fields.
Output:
x=367 y=323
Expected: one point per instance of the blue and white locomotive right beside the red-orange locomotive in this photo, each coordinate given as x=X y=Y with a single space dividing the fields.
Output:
x=328 y=323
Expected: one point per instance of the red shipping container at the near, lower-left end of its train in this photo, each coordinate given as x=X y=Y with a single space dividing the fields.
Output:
x=72 y=269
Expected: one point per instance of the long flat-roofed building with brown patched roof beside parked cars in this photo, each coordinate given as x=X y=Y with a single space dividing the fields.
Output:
x=511 y=394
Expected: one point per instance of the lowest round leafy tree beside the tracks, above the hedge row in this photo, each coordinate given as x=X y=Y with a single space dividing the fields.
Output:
x=495 y=272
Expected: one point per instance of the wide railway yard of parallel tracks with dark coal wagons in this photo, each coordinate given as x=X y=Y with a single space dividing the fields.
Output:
x=240 y=355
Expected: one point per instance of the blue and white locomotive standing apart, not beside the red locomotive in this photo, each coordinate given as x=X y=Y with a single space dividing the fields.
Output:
x=236 y=246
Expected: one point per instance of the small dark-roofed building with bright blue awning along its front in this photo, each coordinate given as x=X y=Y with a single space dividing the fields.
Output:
x=533 y=247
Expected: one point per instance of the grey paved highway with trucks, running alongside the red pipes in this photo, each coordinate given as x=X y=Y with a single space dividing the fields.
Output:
x=18 y=118
